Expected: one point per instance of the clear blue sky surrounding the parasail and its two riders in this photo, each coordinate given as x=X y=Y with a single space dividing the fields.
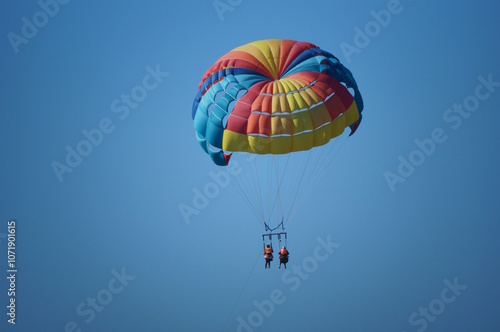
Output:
x=415 y=247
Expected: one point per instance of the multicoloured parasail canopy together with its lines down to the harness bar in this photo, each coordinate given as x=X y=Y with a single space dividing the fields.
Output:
x=270 y=104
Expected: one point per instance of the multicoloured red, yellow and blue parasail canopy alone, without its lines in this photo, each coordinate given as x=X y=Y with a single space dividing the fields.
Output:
x=274 y=97
